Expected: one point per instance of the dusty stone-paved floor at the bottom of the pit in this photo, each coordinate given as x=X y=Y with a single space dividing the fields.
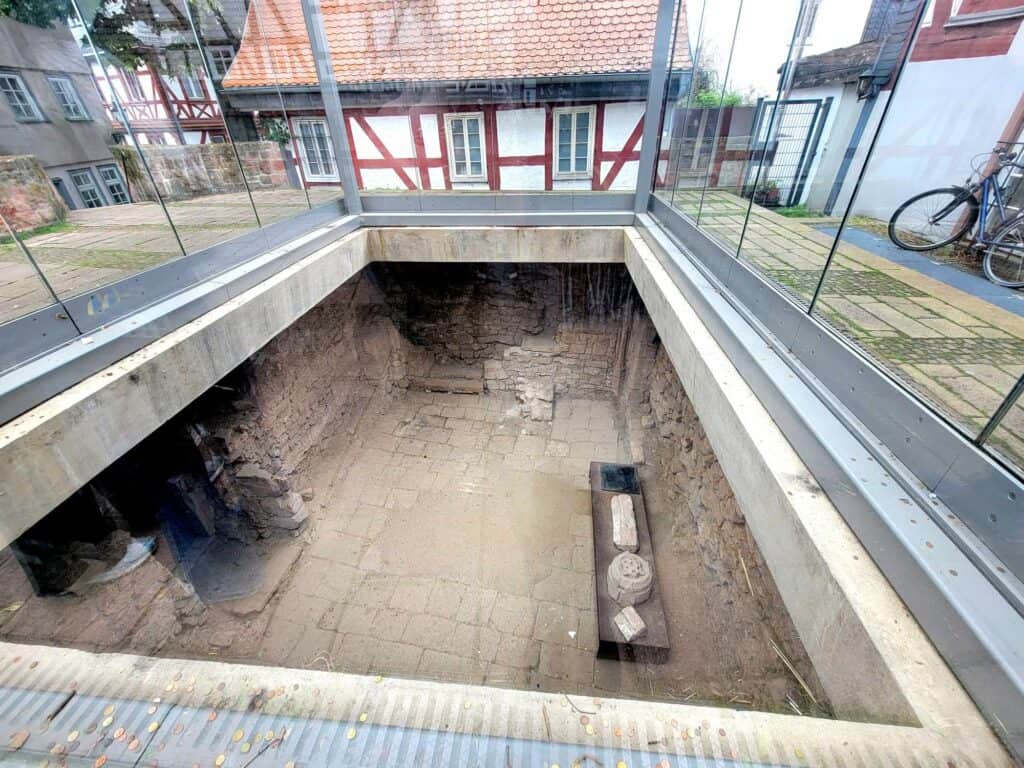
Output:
x=451 y=539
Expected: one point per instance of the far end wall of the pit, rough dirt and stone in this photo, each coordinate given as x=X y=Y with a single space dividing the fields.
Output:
x=523 y=325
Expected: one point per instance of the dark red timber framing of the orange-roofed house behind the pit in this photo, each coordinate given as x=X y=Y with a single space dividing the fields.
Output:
x=414 y=173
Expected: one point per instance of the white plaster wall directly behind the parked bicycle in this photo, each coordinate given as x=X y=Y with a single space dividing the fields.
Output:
x=945 y=113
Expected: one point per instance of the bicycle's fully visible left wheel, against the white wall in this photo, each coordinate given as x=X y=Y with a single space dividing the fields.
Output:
x=933 y=220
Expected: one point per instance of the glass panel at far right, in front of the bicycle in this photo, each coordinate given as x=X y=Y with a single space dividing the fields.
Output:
x=922 y=309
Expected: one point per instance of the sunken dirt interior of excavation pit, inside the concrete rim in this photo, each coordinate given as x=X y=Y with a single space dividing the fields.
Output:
x=440 y=422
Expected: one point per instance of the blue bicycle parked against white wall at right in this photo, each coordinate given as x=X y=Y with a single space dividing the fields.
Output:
x=943 y=217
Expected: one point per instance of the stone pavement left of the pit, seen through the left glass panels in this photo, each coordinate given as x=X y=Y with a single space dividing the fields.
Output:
x=101 y=245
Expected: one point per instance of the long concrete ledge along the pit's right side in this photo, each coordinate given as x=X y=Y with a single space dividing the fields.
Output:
x=872 y=657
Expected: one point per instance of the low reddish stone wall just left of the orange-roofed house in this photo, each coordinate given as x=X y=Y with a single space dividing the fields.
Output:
x=191 y=172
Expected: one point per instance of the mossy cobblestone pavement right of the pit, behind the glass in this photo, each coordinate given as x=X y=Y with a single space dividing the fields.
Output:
x=958 y=352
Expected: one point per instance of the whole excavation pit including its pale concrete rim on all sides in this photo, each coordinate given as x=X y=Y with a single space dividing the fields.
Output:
x=393 y=439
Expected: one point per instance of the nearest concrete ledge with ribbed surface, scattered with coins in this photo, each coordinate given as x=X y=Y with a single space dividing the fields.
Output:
x=195 y=710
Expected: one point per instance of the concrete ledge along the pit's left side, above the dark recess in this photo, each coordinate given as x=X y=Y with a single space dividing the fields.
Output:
x=51 y=452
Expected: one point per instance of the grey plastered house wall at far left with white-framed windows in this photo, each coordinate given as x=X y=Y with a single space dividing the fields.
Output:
x=34 y=54
